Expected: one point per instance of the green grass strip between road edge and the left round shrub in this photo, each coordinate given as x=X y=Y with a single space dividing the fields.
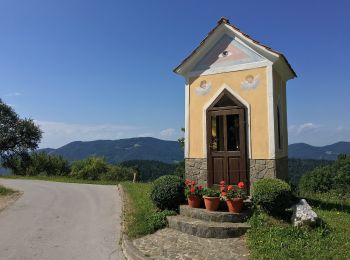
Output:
x=138 y=208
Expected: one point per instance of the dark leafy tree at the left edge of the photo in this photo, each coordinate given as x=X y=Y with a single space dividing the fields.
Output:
x=17 y=136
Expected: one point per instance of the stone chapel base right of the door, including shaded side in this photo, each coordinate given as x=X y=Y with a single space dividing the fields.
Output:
x=268 y=168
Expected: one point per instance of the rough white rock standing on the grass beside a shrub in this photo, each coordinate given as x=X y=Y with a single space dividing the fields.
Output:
x=303 y=214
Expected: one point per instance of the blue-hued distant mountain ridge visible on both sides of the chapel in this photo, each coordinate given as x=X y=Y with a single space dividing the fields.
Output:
x=148 y=148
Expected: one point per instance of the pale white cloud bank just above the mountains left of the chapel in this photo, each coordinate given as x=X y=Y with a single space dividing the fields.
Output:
x=56 y=134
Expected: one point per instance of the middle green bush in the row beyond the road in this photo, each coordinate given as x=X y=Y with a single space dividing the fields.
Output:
x=89 y=169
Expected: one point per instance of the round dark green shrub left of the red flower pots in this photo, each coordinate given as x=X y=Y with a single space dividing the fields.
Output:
x=168 y=192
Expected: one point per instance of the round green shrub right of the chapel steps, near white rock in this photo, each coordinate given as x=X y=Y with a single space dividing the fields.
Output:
x=272 y=195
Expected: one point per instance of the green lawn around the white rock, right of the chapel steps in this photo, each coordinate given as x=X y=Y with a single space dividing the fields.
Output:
x=270 y=238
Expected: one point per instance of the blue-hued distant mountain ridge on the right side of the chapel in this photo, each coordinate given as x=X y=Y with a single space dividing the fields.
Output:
x=327 y=152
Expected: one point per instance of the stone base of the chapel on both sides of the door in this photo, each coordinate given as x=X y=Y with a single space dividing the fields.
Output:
x=196 y=169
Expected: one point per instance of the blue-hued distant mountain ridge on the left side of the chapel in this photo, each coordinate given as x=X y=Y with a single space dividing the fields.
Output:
x=116 y=151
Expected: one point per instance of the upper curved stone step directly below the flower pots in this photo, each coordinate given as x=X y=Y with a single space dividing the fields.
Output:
x=214 y=216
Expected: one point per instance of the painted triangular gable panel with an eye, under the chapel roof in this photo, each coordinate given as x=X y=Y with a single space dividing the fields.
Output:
x=227 y=52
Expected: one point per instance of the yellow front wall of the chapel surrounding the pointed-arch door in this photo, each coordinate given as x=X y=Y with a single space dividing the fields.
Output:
x=257 y=98
